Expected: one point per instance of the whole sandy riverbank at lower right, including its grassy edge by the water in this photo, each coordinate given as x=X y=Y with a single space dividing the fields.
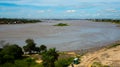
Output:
x=107 y=56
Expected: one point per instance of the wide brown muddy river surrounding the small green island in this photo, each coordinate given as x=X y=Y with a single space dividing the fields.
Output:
x=80 y=34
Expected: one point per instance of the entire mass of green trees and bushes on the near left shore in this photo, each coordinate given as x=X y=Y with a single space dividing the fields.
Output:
x=11 y=55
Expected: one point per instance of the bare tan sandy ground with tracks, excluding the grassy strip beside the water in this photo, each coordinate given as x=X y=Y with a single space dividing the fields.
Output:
x=105 y=56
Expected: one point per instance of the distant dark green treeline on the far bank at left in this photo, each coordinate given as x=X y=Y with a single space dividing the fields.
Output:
x=17 y=21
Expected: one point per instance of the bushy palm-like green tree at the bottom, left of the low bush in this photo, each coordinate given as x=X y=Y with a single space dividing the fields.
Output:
x=49 y=57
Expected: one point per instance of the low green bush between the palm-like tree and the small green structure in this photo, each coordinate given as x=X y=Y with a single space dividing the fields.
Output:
x=64 y=62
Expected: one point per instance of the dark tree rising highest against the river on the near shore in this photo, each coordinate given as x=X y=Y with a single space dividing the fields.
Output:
x=30 y=46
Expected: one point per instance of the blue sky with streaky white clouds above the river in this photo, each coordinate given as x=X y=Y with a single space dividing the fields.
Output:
x=60 y=9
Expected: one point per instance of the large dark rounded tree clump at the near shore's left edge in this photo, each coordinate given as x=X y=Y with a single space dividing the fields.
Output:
x=9 y=53
